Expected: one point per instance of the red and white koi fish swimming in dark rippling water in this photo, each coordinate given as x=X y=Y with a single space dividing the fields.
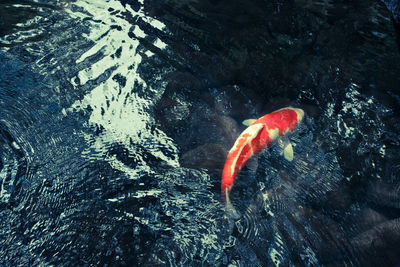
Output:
x=260 y=133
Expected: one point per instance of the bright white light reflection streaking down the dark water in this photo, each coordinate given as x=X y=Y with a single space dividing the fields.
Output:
x=114 y=106
